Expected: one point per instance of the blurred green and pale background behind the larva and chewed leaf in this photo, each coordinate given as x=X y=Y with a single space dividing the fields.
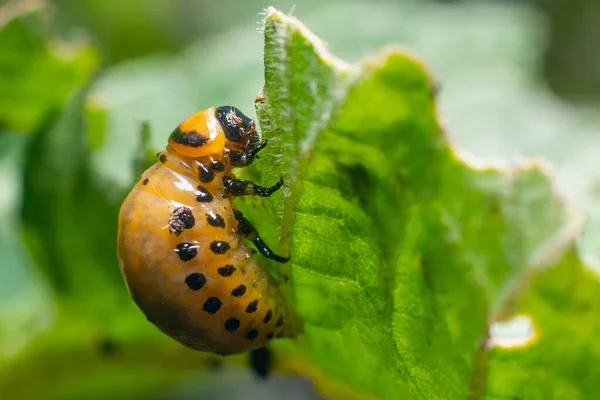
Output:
x=517 y=78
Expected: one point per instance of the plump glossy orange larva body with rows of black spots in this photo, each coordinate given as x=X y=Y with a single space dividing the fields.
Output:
x=183 y=253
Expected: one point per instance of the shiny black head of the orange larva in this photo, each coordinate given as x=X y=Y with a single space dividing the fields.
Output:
x=238 y=128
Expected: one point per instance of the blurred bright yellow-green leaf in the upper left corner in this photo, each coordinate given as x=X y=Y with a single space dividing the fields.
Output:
x=37 y=70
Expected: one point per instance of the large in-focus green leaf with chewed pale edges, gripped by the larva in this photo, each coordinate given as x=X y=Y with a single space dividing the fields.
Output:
x=403 y=252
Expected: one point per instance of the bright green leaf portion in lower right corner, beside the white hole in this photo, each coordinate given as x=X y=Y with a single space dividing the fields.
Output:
x=563 y=361
